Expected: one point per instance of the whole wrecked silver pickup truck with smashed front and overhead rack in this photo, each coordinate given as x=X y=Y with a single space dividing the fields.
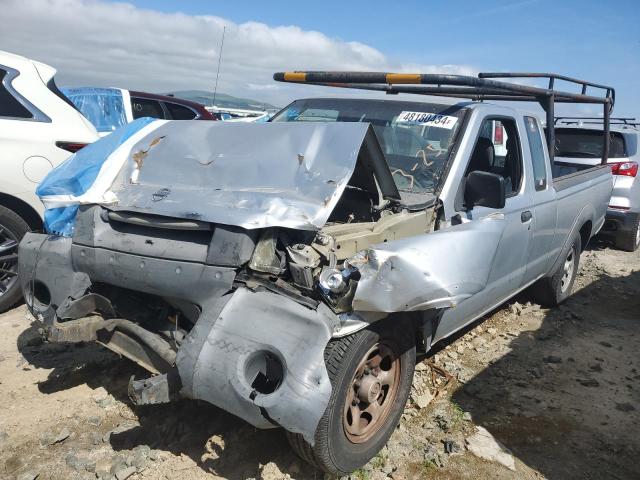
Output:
x=287 y=272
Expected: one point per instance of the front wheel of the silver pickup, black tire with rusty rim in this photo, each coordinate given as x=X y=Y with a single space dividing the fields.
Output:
x=371 y=373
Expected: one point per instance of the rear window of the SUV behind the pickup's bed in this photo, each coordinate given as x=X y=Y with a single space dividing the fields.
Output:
x=583 y=143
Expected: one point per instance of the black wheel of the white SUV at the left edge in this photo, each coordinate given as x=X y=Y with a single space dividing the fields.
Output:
x=12 y=229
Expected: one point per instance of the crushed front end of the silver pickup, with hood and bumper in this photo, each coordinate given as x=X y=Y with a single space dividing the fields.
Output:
x=224 y=282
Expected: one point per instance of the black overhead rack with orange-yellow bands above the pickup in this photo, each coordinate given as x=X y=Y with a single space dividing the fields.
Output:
x=483 y=87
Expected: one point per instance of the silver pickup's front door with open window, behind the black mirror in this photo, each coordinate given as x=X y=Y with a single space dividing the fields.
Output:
x=505 y=158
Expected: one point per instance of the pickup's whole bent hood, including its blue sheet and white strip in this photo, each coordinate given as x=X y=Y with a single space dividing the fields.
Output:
x=249 y=175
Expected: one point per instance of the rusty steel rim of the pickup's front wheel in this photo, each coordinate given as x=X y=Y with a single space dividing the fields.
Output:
x=372 y=393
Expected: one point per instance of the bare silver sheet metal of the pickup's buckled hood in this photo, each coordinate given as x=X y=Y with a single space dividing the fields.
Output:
x=244 y=174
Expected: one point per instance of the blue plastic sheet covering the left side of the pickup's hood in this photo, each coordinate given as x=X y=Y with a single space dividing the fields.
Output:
x=76 y=175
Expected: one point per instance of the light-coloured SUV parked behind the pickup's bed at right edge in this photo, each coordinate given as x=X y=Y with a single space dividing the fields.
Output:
x=579 y=141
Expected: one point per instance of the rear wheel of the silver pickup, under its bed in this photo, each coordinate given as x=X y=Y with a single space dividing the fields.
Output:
x=553 y=290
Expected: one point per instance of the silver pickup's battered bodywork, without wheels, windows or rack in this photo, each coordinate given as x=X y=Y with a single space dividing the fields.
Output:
x=438 y=262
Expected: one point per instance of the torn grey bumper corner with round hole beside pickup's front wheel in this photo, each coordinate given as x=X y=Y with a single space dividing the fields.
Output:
x=218 y=359
